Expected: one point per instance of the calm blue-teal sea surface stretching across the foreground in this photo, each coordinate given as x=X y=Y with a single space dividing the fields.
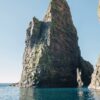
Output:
x=15 y=93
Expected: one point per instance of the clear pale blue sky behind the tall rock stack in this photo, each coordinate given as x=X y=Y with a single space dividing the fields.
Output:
x=15 y=16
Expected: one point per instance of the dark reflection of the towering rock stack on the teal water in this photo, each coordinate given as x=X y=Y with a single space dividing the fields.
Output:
x=56 y=94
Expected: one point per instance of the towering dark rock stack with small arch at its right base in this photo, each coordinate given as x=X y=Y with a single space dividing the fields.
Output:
x=52 y=55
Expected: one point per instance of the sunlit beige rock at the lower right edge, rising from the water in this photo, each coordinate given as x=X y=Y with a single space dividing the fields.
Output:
x=95 y=83
